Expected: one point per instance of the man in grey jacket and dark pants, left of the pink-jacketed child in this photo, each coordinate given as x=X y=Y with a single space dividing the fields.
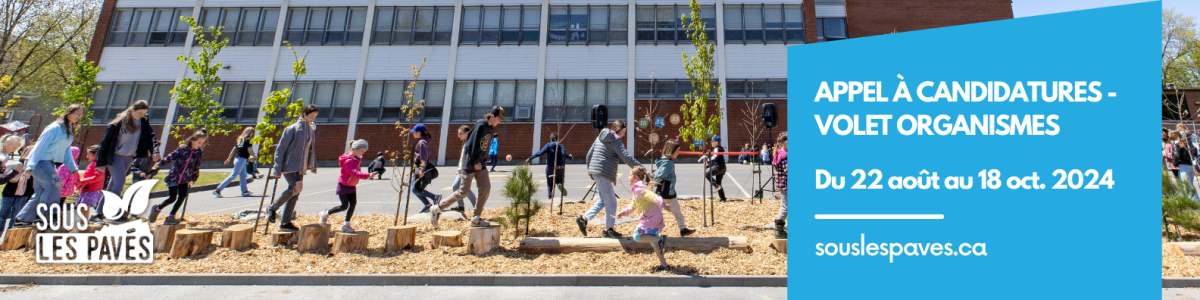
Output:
x=295 y=158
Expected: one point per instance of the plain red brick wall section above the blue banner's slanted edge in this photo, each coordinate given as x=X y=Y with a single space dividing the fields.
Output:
x=879 y=17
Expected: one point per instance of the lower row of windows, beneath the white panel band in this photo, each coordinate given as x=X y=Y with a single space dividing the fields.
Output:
x=382 y=100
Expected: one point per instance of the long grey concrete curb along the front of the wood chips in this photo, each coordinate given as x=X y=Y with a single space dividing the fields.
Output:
x=404 y=280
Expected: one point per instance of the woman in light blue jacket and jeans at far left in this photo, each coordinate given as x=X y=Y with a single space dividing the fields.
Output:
x=53 y=146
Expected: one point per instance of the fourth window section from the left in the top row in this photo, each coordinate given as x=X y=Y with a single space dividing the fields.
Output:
x=413 y=26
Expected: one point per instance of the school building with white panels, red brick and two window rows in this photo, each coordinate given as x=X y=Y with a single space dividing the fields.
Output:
x=545 y=62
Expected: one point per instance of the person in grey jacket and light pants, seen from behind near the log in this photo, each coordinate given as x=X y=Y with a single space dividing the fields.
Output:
x=603 y=159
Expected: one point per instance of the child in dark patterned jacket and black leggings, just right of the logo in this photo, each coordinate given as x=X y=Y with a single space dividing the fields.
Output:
x=184 y=172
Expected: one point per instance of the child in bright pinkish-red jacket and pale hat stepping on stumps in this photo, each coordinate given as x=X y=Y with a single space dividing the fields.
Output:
x=347 y=194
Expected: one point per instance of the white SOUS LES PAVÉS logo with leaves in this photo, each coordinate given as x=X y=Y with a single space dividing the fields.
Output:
x=123 y=244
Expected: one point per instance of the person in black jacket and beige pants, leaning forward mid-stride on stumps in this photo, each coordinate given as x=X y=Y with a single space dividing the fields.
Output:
x=479 y=140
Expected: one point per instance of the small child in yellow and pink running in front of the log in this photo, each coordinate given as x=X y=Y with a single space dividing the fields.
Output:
x=650 y=207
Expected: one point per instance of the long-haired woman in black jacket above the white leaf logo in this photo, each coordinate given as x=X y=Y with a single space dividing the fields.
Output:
x=128 y=137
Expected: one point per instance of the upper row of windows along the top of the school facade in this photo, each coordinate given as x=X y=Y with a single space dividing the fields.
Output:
x=575 y=25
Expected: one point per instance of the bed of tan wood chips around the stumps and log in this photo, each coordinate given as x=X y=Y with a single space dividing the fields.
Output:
x=734 y=219
